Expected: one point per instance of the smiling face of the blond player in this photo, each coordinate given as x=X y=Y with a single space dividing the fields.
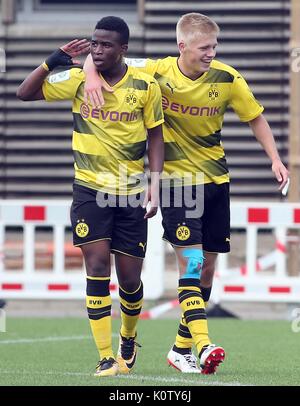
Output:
x=198 y=53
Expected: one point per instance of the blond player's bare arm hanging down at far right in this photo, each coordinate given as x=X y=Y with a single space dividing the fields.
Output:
x=263 y=134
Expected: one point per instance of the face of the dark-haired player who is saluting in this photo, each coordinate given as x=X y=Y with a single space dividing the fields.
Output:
x=106 y=49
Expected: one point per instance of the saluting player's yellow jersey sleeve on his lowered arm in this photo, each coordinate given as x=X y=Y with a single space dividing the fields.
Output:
x=153 y=112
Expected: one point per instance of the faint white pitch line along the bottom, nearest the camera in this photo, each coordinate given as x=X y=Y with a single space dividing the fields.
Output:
x=132 y=377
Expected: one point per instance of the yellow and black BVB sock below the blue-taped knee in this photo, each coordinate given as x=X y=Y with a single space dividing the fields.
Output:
x=193 y=308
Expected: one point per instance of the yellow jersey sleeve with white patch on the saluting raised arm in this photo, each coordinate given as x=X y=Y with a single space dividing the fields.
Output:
x=62 y=85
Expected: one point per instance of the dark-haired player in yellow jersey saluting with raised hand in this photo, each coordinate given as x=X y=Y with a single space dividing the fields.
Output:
x=109 y=195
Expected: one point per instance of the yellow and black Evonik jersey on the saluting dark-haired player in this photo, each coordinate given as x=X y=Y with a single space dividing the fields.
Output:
x=109 y=143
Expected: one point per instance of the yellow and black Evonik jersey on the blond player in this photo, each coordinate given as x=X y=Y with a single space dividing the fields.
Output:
x=194 y=112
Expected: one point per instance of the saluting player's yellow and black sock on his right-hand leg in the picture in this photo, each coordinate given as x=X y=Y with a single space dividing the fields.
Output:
x=131 y=306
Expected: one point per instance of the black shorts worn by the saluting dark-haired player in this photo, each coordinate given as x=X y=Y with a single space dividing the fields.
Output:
x=125 y=227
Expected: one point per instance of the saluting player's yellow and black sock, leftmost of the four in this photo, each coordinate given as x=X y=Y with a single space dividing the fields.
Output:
x=98 y=302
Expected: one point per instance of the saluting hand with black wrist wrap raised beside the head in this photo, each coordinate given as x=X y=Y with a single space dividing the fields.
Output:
x=64 y=56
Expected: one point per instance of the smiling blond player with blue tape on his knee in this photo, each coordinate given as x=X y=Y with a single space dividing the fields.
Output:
x=196 y=91
